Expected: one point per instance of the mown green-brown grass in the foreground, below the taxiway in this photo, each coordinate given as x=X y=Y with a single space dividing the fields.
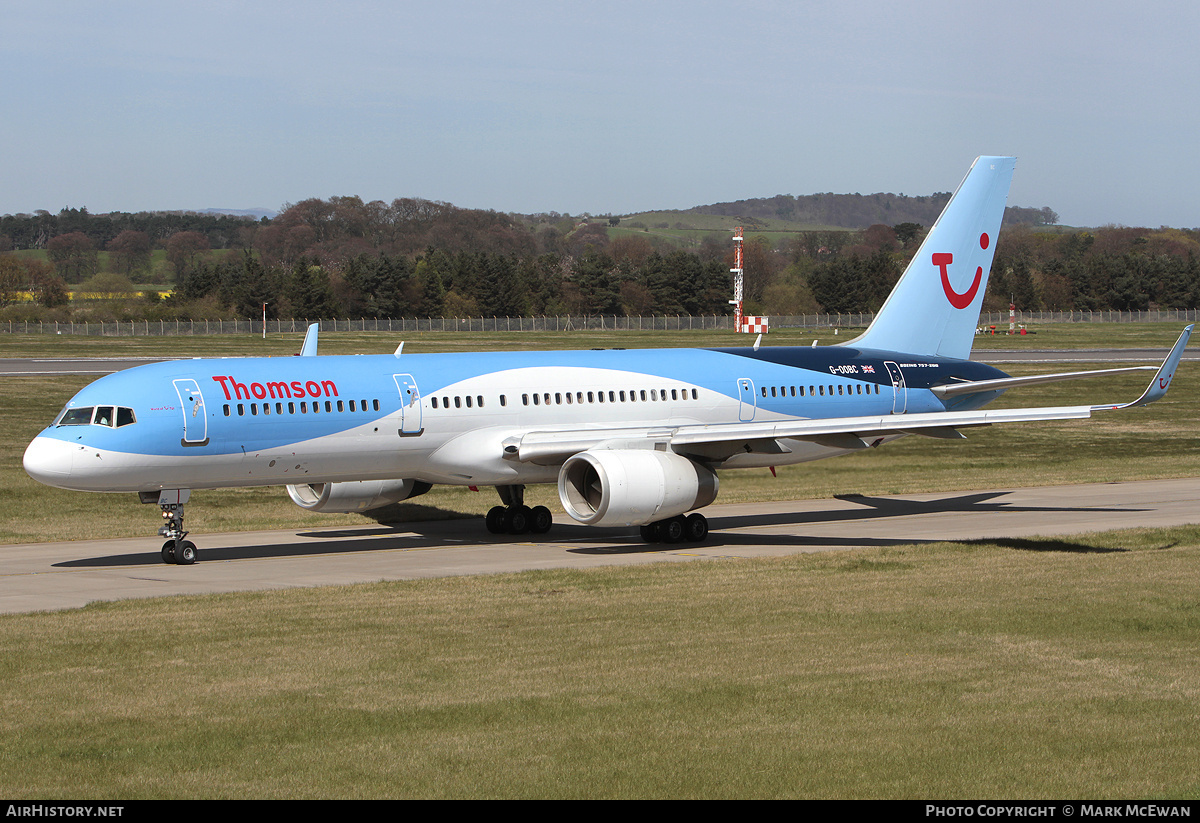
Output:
x=974 y=670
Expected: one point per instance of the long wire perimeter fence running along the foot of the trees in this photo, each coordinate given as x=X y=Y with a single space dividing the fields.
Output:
x=551 y=323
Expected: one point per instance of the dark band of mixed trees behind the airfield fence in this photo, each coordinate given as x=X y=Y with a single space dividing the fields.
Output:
x=344 y=257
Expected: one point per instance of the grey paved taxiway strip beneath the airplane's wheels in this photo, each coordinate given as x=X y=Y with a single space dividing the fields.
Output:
x=67 y=575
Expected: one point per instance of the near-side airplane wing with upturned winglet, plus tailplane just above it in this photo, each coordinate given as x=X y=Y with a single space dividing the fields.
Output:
x=719 y=442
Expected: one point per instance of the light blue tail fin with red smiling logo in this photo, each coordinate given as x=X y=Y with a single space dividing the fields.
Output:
x=934 y=309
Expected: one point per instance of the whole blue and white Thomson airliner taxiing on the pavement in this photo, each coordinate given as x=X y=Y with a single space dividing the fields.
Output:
x=631 y=437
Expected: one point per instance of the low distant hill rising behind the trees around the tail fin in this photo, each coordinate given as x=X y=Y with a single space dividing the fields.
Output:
x=857 y=212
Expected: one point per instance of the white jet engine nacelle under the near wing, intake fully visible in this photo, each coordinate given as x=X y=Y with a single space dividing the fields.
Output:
x=633 y=486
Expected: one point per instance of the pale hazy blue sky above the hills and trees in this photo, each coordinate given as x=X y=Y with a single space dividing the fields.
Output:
x=608 y=107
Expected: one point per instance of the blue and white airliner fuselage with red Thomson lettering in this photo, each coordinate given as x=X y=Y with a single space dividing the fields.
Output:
x=446 y=418
